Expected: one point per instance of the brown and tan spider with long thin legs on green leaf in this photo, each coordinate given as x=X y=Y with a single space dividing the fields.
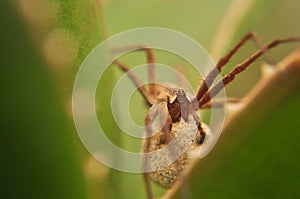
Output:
x=179 y=112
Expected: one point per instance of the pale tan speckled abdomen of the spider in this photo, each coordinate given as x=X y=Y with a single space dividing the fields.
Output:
x=175 y=153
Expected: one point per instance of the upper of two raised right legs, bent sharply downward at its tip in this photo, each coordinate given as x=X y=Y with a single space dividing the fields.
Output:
x=223 y=61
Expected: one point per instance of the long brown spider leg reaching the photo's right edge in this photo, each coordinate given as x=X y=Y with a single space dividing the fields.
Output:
x=213 y=91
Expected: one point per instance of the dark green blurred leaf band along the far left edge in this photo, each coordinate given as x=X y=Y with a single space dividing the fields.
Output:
x=39 y=159
